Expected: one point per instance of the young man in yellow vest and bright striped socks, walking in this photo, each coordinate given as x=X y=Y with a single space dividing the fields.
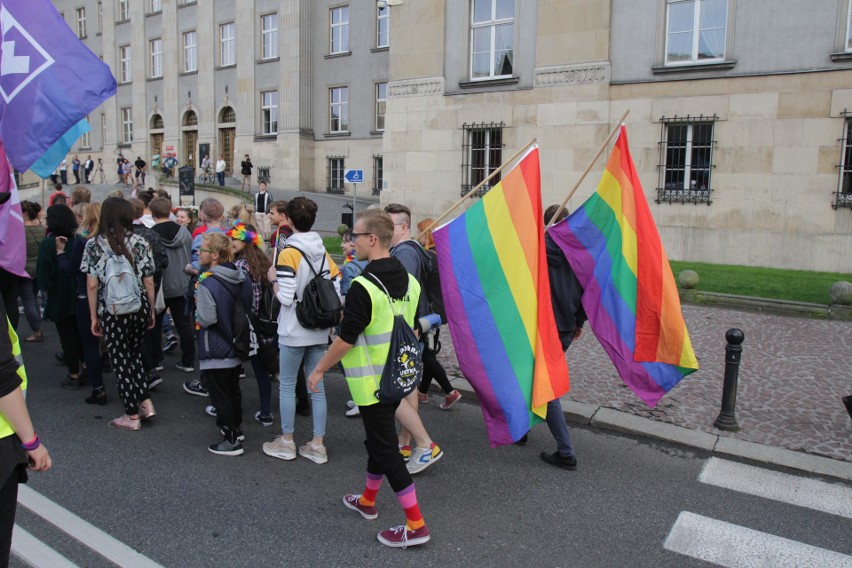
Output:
x=369 y=317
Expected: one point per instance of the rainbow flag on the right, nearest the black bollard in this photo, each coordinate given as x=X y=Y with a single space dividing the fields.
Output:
x=629 y=295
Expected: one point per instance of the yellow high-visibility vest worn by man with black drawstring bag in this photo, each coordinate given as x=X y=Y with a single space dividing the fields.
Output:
x=365 y=362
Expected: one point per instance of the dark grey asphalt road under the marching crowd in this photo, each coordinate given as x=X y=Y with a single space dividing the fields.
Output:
x=160 y=492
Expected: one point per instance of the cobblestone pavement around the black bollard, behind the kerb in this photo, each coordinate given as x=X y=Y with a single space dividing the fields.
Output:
x=792 y=377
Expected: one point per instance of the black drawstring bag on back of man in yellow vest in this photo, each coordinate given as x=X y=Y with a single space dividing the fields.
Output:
x=404 y=366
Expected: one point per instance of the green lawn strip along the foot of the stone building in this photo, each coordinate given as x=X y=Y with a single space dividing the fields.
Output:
x=794 y=285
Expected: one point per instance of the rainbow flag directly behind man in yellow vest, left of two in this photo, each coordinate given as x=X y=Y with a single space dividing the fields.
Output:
x=496 y=292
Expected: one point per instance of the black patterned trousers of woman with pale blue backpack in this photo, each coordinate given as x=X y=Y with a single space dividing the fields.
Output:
x=124 y=335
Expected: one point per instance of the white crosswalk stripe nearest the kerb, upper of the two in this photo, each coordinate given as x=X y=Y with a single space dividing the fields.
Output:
x=832 y=498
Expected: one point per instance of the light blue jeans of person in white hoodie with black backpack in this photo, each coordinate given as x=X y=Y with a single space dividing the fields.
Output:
x=290 y=359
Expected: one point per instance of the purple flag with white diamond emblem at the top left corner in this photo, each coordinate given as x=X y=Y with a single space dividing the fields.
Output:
x=49 y=82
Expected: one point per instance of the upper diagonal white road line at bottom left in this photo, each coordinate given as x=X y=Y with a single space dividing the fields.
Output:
x=88 y=534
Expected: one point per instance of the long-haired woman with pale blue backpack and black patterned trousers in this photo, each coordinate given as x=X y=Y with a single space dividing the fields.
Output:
x=122 y=314
